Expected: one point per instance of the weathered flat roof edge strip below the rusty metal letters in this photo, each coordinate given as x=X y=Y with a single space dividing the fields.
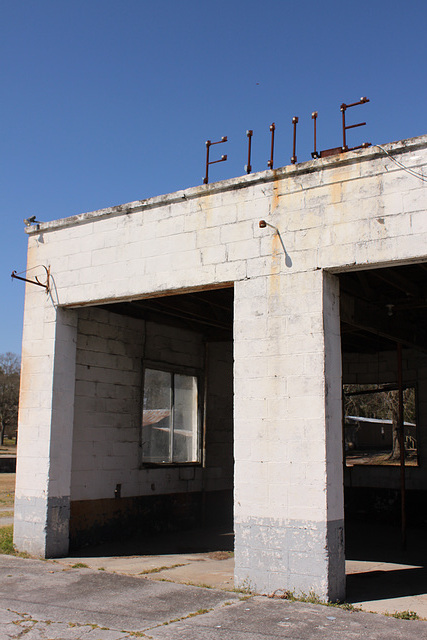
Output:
x=240 y=182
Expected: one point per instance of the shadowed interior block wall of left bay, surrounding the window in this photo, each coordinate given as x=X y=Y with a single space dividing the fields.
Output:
x=107 y=433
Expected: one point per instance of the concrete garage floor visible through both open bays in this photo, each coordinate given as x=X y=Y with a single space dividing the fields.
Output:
x=376 y=586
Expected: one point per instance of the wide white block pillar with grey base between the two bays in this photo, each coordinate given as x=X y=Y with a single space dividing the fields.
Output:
x=288 y=453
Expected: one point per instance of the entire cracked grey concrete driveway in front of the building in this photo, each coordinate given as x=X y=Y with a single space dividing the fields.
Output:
x=49 y=601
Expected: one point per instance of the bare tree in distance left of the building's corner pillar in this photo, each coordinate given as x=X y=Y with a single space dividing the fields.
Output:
x=9 y=394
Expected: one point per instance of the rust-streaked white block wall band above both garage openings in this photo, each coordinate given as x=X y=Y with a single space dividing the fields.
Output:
x=348 y=211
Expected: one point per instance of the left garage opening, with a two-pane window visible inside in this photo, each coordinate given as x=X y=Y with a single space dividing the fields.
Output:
x=153 y=425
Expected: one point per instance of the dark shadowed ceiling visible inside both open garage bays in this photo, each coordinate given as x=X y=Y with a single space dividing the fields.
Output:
x=379 y=307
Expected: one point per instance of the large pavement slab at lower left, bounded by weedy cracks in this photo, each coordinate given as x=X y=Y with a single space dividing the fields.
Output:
x=114 y=601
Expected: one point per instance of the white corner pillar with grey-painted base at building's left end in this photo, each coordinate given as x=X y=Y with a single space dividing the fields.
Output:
x=45 y=431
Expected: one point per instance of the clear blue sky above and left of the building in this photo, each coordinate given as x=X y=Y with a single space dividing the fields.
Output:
x=104 y=102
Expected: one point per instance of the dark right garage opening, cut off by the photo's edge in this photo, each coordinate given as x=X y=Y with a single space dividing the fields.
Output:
x=384 y=365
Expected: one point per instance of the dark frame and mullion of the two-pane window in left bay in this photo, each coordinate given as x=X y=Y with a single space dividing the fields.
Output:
x=180 y=370
